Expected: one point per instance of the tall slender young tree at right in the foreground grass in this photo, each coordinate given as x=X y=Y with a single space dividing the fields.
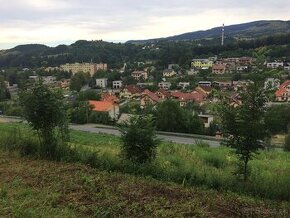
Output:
x=244 y=127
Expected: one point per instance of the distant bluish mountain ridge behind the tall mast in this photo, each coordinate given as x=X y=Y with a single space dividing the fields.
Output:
x=244 y=31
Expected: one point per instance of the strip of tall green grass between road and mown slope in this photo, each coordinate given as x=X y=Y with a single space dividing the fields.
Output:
x=185 y=164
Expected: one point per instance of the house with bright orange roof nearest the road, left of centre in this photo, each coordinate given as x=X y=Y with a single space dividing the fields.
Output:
x=106 y=106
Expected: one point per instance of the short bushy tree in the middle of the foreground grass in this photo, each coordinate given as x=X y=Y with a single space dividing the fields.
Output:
x=139 y=139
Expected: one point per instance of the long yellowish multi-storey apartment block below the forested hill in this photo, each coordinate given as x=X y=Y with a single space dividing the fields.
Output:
x=91 y=68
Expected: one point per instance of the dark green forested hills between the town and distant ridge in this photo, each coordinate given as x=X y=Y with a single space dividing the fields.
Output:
x=161 y=53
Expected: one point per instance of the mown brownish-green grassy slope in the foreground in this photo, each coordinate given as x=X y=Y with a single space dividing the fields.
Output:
x=30 y=188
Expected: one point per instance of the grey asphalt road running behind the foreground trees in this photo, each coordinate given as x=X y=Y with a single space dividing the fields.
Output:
x=93 y=129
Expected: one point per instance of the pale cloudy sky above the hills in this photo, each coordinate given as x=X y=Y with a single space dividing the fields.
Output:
x=54 y=22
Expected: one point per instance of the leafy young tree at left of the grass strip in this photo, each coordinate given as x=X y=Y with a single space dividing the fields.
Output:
x=45 y=111
